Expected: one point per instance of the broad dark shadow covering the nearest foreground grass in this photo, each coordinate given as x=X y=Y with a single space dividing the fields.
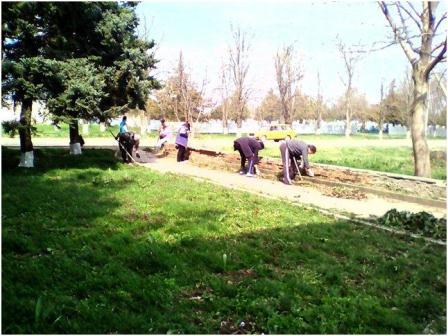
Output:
x=318 y=278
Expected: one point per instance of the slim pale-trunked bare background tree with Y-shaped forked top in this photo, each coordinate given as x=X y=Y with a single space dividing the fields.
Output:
x=350 y=58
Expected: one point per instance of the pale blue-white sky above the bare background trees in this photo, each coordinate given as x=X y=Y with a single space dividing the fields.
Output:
x=201 y=29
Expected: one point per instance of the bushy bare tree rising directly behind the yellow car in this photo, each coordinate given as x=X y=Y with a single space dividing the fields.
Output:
x=288 y=76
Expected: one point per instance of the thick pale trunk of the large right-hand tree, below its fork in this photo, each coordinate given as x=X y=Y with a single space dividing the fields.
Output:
x=422 y=164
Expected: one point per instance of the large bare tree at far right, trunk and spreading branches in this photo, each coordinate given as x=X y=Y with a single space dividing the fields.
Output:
x=423 y=59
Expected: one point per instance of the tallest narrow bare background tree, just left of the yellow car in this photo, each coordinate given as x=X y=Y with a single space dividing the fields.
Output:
x=239 y=67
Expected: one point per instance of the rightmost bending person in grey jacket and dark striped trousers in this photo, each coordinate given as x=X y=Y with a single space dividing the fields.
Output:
x=290 y=149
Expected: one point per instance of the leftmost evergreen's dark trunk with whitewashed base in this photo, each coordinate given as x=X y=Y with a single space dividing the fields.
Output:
x=26 y=145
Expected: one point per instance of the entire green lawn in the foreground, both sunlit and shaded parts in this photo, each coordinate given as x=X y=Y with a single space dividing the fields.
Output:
x=90 y=245
